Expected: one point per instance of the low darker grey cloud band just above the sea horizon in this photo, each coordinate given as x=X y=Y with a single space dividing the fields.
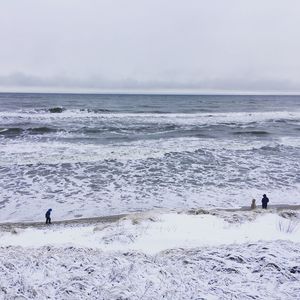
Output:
x=218 y=84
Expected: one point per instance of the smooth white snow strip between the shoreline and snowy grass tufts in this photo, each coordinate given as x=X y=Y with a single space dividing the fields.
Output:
x=153 y=233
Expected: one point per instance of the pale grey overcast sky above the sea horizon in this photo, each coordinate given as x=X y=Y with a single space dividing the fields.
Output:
x=154 y=45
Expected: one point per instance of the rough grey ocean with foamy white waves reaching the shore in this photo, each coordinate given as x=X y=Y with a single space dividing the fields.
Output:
x=96 y=155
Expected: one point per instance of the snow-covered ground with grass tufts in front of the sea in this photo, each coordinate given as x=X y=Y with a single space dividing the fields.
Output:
x=221 y=255
